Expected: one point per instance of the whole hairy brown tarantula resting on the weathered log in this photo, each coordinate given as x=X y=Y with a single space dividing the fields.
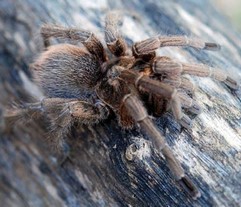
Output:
x=83 y=84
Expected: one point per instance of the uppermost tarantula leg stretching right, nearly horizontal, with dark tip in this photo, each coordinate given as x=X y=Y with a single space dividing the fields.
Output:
x=149 y=45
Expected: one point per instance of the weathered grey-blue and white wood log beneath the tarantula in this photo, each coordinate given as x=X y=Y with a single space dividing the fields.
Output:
x=100 y=172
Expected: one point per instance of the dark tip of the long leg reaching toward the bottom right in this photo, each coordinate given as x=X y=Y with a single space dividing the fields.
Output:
x=189 y=187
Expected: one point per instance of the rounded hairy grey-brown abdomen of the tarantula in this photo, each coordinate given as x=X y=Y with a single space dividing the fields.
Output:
x=66 y=71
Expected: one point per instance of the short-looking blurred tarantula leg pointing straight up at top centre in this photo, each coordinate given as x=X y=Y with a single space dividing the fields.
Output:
x=115 y=42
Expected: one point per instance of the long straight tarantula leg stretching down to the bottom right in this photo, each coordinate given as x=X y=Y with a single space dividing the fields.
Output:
x=139 y=114
